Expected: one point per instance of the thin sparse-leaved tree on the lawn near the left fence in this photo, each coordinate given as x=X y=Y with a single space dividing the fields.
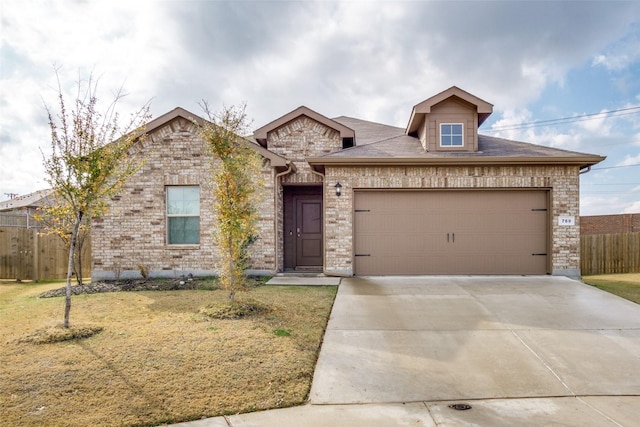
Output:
x=91 y=158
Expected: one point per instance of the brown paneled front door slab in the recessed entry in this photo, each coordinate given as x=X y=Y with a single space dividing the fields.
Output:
x=308 y=232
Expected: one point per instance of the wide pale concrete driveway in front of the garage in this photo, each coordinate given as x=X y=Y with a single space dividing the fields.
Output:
x=519 y=350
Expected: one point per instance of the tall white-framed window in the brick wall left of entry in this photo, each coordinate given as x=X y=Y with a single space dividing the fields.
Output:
x=183 y=215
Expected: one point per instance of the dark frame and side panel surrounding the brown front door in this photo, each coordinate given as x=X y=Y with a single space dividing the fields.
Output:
x=291 y=195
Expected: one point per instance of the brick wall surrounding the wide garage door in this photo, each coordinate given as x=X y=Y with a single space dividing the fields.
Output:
x=563 y=183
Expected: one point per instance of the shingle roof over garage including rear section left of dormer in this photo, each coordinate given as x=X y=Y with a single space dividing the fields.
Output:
x=382 y=144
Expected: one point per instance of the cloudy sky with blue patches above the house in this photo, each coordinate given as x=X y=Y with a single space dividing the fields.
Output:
x=534 y=61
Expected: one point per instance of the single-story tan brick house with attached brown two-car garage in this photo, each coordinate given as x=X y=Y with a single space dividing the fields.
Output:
x=347 y=197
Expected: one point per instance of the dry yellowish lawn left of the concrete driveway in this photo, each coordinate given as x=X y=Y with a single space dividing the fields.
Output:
x=158 y=360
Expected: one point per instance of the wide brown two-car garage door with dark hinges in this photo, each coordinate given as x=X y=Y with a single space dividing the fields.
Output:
x=450 y=232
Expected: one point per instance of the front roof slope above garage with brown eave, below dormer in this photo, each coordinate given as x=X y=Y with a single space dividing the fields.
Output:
x=407 y=150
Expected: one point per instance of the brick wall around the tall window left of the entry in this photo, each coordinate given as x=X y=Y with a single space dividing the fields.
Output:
x=134 y=231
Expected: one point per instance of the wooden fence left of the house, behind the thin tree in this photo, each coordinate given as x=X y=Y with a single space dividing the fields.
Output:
x=27 y=255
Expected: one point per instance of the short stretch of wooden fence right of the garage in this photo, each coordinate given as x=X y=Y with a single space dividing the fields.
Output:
x=610 y=253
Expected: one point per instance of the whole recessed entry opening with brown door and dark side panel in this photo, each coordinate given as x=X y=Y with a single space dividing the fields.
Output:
x=303 y=248
